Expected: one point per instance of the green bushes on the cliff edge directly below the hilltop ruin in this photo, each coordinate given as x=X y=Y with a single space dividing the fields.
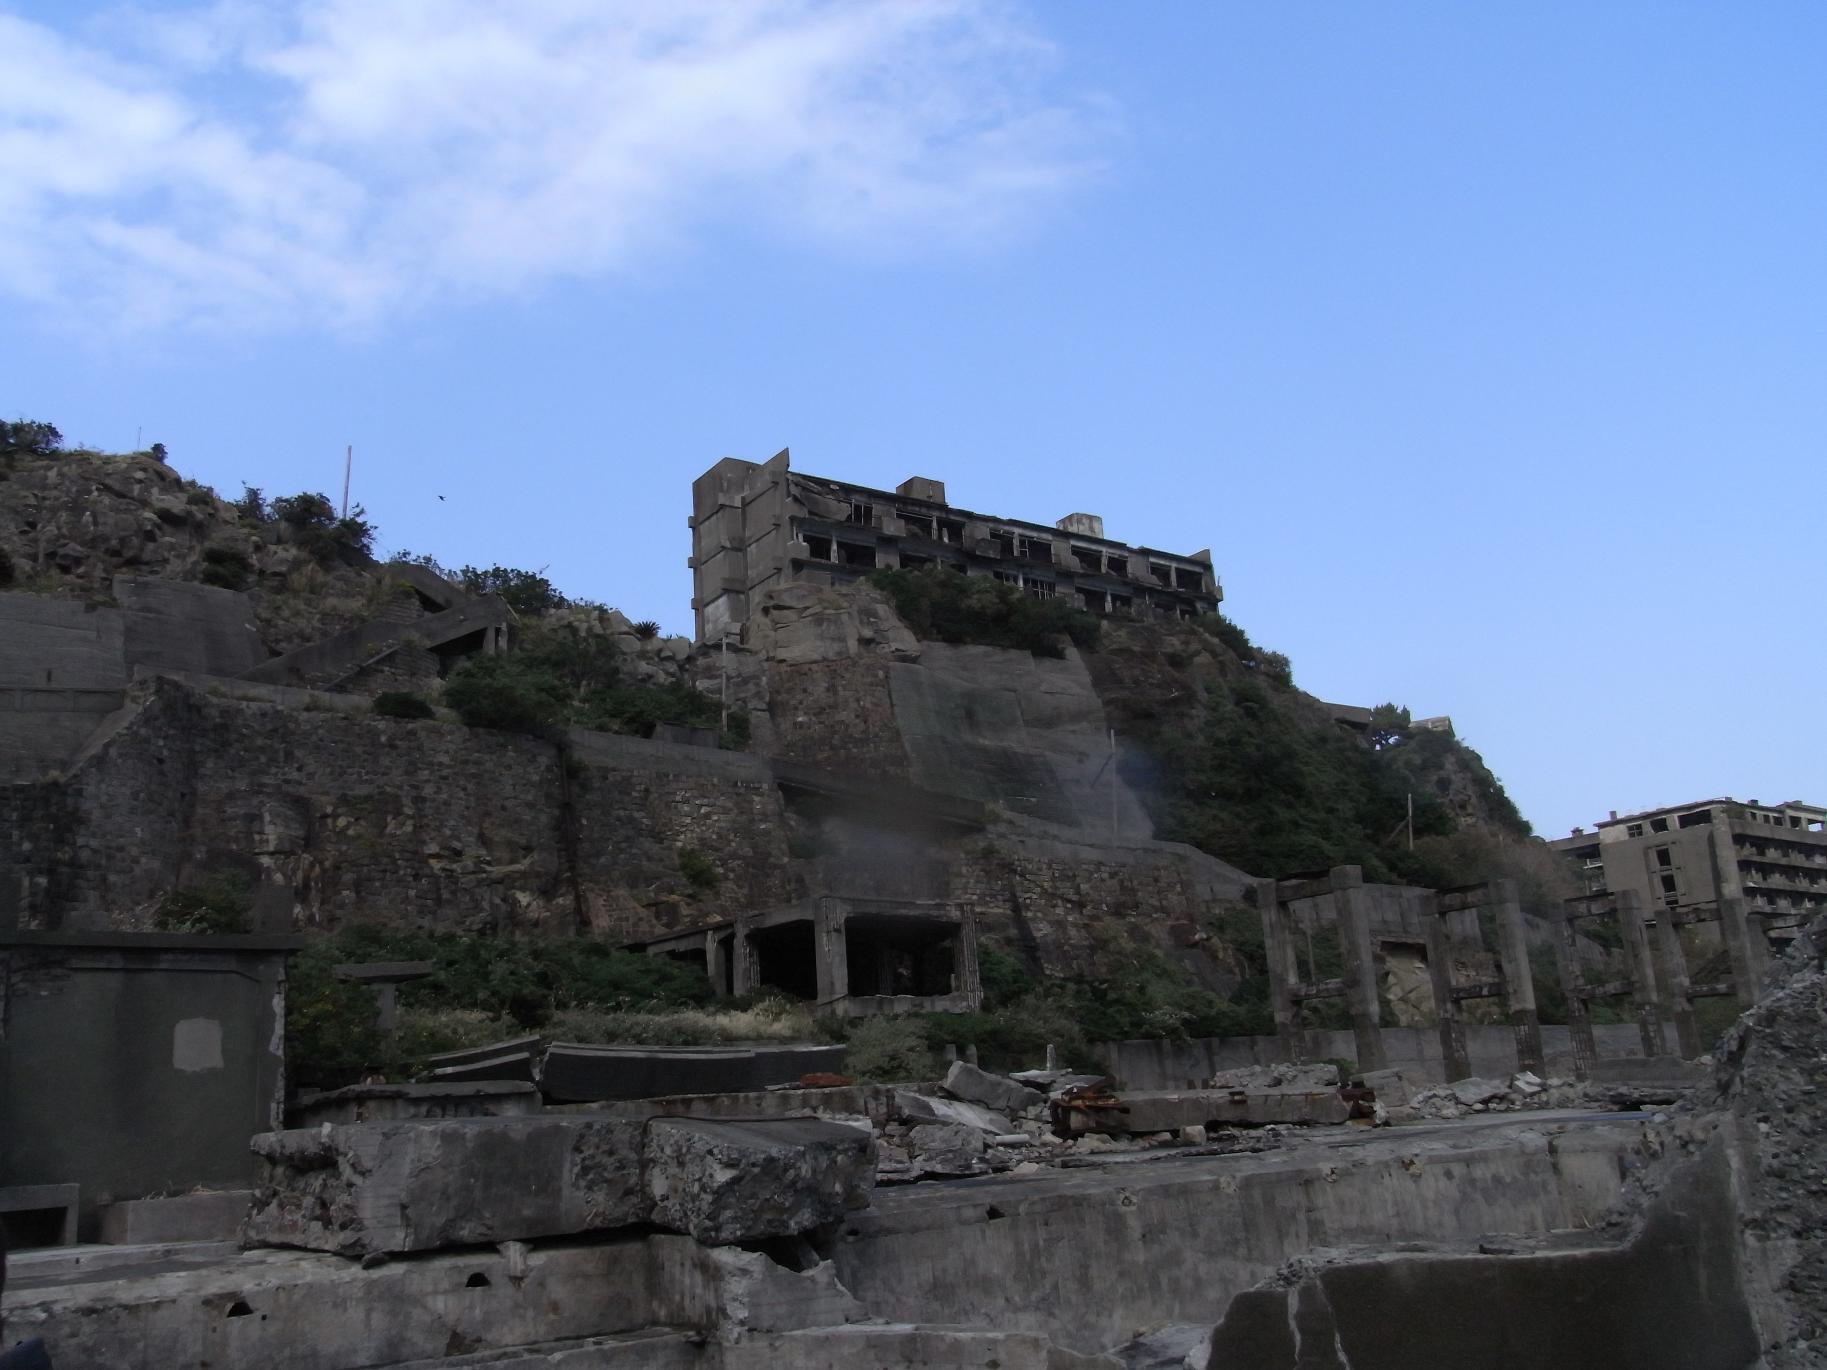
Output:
x=975 y=609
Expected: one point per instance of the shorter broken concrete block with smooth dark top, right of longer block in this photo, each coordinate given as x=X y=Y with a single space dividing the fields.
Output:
x=730 y=1183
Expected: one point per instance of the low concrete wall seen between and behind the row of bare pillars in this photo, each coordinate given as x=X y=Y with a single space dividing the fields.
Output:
x=1417 y=1053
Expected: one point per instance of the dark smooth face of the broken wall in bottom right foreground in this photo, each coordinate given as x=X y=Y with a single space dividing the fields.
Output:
x=1671 y=1298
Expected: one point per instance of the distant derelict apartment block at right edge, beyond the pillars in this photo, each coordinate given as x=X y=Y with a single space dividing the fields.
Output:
x=1773 y=858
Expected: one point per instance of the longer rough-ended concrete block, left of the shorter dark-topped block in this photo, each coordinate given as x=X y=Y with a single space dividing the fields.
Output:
x=417 y=1186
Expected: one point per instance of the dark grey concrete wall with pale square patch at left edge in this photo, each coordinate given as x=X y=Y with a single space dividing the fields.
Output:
x=138 y=1062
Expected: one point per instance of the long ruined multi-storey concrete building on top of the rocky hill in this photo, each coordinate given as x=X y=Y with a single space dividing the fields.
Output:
x=757 y=525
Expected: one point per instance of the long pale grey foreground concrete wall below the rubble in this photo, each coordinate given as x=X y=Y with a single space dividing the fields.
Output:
x=1035 y=1252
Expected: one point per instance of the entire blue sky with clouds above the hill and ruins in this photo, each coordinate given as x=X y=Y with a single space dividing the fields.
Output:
x=1484 y=346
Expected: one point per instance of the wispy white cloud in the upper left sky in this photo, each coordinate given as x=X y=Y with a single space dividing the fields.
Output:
x=333 y=162
